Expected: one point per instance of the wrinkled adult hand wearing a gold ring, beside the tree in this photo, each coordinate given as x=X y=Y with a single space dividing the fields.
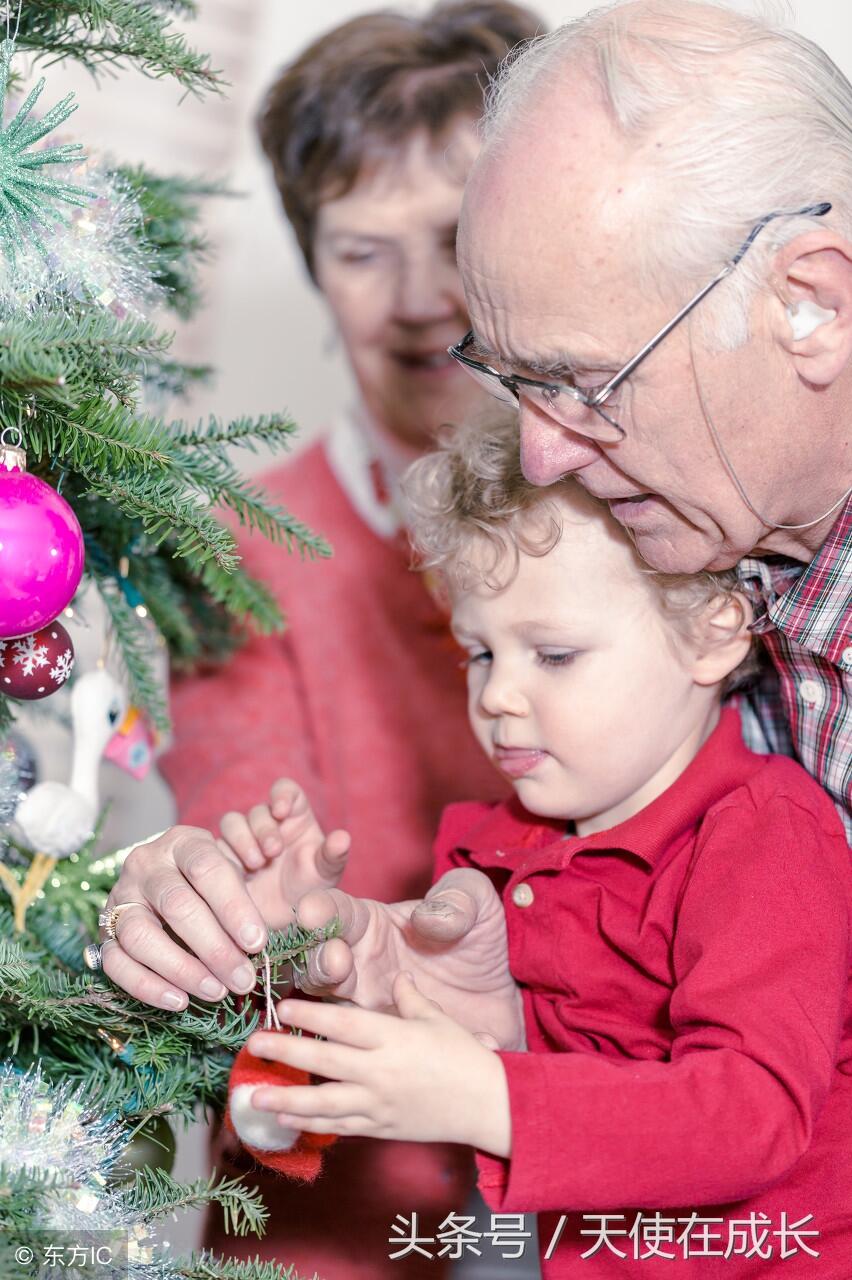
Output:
x=199 y=917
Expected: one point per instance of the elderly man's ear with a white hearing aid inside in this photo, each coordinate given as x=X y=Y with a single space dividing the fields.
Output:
x=813 y=280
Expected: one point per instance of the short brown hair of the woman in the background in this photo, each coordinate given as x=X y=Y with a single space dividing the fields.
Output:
x=370 y=85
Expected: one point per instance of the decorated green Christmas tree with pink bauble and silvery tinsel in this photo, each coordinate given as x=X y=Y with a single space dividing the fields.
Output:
x=99 y=488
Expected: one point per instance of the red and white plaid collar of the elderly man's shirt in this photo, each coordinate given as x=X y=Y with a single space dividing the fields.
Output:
x=816 y=610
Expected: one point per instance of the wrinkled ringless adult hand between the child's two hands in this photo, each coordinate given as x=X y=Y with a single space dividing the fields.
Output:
x=454 y=943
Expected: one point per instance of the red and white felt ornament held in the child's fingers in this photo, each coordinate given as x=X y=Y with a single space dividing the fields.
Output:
x=296 y=1155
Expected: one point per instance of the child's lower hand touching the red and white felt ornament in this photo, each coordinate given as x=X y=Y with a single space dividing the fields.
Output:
x=420 y=1077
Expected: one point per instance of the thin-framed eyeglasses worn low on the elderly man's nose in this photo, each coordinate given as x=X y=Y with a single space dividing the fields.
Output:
x=558 y=400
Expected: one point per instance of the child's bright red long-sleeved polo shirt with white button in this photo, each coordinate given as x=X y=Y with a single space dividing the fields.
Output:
x=686 y=984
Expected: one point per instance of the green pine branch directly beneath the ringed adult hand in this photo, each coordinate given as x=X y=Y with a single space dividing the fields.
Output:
x=134 y=1060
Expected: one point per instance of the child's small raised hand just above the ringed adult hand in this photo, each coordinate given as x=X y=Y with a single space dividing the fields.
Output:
x=286 y=825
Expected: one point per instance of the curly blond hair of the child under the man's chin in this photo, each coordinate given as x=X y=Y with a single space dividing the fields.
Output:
x=471 y=496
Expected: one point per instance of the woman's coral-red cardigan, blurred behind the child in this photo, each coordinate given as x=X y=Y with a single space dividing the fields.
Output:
x=361 y=701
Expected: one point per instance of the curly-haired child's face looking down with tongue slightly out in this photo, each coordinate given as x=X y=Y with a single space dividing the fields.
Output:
x=580 y=689
